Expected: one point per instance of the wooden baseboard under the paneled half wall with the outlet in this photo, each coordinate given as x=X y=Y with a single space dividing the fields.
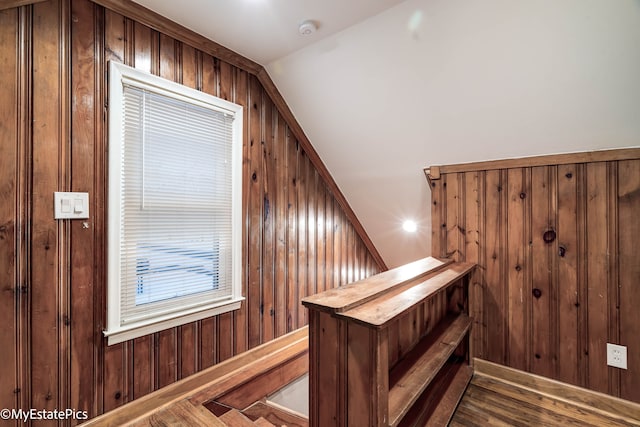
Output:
x=603 y=403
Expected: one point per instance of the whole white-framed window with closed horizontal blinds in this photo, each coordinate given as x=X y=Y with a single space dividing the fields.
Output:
x=174 y=207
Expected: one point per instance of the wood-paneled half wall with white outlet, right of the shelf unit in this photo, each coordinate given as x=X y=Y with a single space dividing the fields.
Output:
x=555 y=239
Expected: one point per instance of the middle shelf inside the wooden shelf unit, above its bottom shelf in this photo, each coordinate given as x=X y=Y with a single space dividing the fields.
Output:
x=413 y=374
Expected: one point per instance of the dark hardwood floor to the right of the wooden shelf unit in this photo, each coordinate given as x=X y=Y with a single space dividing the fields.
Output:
x=490 y=401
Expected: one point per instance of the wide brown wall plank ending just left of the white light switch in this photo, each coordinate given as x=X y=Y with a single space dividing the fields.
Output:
x=48 y=176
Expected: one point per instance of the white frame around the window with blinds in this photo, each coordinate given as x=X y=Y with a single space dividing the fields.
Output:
x=116 y=331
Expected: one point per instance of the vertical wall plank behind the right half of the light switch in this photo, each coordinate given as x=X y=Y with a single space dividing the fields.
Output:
x=85 y=138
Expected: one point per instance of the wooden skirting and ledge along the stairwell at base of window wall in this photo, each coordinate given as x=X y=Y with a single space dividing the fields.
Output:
x=236 y=383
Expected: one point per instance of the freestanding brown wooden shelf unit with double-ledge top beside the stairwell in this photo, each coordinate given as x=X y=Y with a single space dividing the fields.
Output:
x=391 y=349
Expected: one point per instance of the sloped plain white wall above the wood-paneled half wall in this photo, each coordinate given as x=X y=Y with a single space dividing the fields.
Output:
x=448 y=81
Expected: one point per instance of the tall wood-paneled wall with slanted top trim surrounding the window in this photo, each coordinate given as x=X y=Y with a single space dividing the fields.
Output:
x=300 y=236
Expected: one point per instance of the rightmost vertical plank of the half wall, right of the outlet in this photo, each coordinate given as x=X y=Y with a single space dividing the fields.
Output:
x=628 y=197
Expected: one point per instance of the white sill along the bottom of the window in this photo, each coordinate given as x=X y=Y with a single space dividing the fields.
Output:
x=129 y=332
